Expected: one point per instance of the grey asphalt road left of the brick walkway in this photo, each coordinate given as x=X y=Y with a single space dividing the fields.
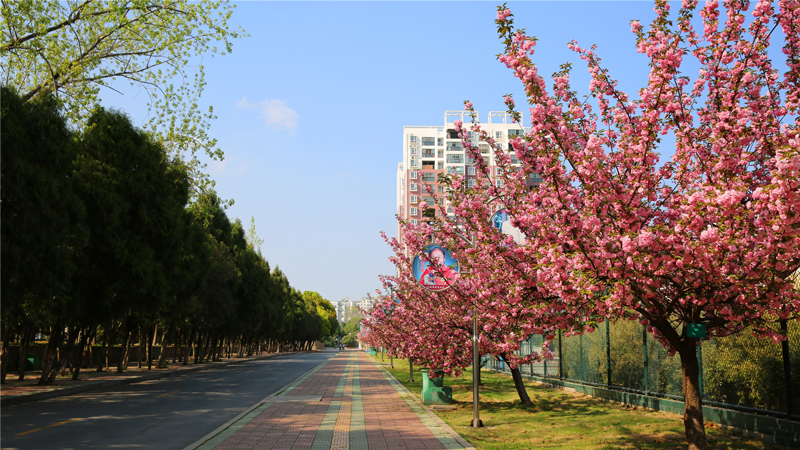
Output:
x=168 y=413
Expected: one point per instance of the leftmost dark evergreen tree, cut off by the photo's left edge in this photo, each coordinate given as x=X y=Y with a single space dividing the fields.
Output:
x=42 y=216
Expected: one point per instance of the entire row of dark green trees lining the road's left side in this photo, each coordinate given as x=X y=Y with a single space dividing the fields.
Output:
x=101 y=242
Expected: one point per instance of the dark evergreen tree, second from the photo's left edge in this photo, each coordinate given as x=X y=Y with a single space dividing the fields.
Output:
x=135 y=199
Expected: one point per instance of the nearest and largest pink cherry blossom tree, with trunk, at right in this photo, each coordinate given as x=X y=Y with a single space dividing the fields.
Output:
x=705 y=239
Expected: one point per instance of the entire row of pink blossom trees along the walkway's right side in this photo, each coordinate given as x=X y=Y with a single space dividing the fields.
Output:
x=697 y=246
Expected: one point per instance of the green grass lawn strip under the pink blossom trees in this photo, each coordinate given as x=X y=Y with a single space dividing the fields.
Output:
x=561 y=420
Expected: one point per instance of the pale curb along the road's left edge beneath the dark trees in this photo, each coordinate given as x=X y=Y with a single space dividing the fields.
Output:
x=22 y=399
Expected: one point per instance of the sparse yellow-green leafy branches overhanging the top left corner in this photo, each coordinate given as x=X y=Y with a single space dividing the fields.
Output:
x=75 y=48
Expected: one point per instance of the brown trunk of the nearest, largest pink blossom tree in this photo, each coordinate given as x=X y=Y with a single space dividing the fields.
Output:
x=693 y=403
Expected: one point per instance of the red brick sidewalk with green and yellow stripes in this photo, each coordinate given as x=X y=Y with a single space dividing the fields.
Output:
x=348 y=402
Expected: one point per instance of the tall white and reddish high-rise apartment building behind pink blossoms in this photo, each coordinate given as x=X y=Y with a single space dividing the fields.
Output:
x=429 y=151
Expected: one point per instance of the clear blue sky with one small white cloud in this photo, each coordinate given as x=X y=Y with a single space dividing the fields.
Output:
x=311 y=108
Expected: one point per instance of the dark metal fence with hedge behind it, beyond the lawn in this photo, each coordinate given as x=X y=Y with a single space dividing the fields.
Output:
x=739 y=372
